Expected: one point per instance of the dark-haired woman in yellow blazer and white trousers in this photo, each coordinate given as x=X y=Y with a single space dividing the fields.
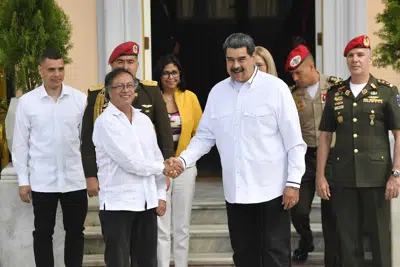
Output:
x=185 y=112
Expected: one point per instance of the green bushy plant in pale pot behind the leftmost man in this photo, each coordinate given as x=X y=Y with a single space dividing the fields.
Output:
x=27 y=28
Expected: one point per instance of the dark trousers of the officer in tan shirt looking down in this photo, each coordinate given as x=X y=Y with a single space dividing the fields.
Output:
x=300 y=213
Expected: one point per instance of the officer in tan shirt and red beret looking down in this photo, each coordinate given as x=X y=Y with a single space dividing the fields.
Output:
x=309 y=94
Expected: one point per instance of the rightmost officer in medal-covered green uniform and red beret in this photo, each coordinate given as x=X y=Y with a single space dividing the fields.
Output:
x=360 y=111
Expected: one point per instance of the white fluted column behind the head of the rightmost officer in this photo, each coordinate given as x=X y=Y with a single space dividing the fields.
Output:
x=342 y=21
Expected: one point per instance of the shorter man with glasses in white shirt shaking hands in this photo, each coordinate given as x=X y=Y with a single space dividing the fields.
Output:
x=130 y=173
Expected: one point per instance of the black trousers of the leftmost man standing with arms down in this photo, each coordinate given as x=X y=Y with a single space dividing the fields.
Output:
x=74 y=208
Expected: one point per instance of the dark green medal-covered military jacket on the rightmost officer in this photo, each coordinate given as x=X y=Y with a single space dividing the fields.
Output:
x=362 y=151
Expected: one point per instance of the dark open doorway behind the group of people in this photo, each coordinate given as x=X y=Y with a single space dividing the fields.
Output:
x=201 y=26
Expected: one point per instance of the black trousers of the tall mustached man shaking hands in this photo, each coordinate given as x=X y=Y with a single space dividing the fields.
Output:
x=260 y=234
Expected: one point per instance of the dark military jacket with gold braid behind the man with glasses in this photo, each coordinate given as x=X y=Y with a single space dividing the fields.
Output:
x=148 y=99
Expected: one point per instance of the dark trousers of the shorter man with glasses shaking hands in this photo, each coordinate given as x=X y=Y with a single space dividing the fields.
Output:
x=129 y=235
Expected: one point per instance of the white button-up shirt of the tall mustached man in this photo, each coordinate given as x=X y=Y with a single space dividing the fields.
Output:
x=257 y=132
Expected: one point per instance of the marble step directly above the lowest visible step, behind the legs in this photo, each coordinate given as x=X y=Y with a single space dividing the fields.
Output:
x=203 y=239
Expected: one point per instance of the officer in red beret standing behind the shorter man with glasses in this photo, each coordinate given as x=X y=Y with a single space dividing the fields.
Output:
x=148 y=99
